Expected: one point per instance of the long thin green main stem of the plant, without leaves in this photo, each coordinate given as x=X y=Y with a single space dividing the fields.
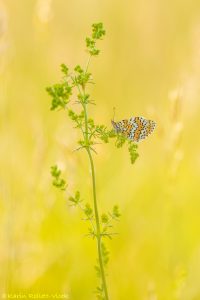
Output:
x=98 y=229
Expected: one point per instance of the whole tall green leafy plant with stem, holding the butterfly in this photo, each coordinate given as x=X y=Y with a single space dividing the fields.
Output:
x=79 y=79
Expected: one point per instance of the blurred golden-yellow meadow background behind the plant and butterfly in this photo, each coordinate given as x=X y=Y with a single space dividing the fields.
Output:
x=150 y=66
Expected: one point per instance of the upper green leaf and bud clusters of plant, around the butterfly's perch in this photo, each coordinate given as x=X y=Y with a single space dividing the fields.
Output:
x=61 y=94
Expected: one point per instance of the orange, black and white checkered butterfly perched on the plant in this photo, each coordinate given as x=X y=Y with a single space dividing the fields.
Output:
x=135 y=129
